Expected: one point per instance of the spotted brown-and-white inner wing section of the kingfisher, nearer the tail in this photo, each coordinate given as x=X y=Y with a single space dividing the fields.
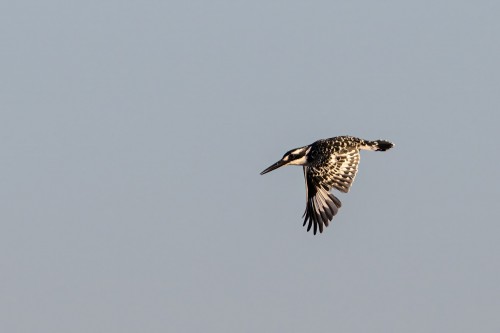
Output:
x=342 y=170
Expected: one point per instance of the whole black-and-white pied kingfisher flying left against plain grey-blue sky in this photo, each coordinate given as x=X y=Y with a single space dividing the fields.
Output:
x=327 y=164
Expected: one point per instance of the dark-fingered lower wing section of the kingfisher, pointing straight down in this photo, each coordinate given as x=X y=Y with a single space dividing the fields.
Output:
x=321 y=205
